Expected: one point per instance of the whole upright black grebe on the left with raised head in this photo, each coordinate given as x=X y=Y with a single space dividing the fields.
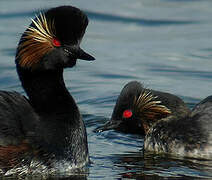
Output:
x=46 y=131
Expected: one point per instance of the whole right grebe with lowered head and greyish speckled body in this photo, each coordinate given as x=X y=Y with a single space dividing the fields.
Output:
x=167 y=124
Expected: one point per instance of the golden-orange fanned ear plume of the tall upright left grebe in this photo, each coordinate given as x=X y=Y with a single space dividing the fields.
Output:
x=37 y=41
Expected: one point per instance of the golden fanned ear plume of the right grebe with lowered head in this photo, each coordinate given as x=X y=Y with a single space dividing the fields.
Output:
x=150 y=108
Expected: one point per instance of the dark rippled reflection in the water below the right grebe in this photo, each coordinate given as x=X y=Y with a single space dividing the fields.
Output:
x=149 y=165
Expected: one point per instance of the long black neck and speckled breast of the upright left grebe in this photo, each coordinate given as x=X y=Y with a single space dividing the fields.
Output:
x=60 y=127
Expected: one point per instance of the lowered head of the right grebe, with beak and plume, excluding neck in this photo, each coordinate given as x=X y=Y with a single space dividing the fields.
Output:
x=135 y=110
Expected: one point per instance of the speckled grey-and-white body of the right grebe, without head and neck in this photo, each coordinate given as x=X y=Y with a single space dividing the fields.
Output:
x=189 y=136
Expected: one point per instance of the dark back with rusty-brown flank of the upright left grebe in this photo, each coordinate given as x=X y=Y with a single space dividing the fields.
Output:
x=16 y=128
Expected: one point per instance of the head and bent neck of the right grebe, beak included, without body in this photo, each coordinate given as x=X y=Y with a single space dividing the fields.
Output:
x=138 y=108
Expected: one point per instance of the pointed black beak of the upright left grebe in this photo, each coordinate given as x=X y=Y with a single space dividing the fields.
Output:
x=76 y=52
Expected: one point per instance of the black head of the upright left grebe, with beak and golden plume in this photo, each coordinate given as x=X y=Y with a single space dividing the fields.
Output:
x=53 y=40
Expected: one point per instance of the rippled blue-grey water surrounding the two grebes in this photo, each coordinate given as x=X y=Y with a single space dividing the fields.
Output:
x=165 y=44
